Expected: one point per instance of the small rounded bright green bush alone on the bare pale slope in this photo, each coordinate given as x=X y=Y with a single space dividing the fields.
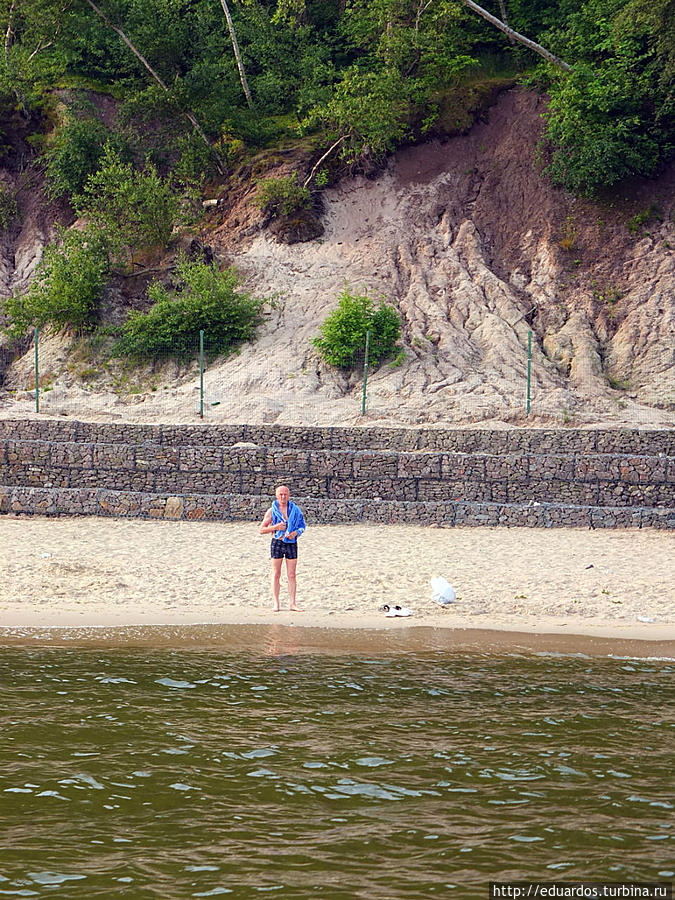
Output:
x=342 y=340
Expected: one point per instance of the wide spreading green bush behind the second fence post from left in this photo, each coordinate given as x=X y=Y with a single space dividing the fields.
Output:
x=205 y=299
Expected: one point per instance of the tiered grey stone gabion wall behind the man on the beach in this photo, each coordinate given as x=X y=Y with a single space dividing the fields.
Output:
x=591 y=478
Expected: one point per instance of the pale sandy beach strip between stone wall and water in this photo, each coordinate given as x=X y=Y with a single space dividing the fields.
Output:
x=74 y=572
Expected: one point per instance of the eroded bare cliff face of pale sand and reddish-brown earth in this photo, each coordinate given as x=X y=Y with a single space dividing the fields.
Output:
x=475 y=249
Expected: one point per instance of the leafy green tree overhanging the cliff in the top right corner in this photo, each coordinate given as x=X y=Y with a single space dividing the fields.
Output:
x=612 y=117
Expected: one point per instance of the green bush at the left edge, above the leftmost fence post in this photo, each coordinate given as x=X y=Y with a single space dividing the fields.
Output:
x=68 y=284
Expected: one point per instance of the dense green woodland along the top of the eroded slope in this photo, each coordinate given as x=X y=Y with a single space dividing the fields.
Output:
x=365 y=73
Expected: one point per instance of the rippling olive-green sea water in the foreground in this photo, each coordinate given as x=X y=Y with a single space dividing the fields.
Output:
x=201 y=772
